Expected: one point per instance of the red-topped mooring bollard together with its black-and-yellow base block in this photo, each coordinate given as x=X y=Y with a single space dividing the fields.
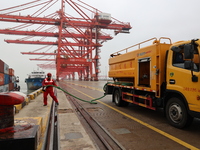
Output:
x=21 y=133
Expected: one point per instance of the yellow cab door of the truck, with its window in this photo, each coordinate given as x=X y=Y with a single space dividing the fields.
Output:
x=179 y=77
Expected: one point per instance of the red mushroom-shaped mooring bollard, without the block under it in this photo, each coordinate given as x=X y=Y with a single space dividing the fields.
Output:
x=7 y=102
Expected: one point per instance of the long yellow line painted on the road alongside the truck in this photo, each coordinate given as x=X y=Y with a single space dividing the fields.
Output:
x=146 y=125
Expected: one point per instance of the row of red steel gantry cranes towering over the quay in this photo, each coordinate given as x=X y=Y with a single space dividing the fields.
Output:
x=75 y=41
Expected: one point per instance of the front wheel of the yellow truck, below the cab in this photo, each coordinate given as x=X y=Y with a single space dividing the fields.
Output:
x=176 y=113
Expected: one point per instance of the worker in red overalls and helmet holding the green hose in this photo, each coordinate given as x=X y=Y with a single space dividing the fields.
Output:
x=49 y=89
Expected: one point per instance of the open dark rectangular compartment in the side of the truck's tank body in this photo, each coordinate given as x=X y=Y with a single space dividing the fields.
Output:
x=144 y=72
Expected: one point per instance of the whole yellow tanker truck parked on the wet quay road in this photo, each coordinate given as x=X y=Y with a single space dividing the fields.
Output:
x=161 y=75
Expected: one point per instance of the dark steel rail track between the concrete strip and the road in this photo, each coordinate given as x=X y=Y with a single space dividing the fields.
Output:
x=107 y=142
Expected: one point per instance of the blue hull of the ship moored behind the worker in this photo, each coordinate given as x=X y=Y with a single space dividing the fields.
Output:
x=34 y=83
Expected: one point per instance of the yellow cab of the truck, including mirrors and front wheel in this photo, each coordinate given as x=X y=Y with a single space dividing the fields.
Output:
x=182 y=98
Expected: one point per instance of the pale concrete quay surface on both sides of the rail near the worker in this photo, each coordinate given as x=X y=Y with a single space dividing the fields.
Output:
x=72 y=134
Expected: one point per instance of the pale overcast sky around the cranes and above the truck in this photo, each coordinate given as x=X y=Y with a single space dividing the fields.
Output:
x=176 y=19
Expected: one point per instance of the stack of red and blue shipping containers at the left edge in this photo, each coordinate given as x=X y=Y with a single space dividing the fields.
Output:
x=7 y=78
